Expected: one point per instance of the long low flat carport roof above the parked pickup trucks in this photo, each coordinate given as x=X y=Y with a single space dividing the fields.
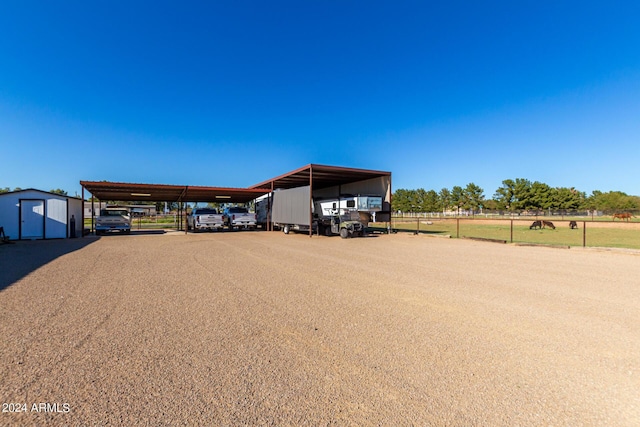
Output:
x=121 y=191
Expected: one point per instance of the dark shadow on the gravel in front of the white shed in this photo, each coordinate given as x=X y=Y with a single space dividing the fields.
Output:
x=24 y=256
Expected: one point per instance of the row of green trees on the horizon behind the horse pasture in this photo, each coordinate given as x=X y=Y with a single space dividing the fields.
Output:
x=514 y=195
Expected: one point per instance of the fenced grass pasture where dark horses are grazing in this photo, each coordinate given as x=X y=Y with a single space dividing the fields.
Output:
x=597 y=234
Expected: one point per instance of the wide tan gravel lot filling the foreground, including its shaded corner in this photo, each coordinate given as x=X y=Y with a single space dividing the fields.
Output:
x=257 y=328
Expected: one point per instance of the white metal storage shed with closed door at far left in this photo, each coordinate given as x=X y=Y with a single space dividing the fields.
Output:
x=35 y=214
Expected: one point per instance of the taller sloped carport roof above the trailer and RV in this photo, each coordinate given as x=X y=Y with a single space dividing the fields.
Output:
x=323 y=177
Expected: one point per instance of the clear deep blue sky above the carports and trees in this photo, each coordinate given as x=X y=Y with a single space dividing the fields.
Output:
x=233 y=93
